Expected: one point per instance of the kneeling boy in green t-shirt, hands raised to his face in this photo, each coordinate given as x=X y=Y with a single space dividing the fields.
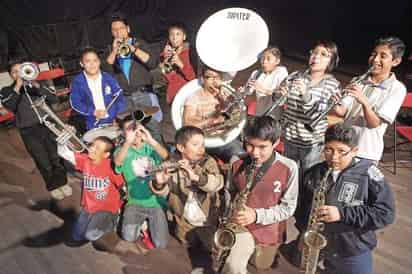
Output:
x=141 y=150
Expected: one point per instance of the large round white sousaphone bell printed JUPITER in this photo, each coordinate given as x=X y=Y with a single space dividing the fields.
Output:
x=231 y=39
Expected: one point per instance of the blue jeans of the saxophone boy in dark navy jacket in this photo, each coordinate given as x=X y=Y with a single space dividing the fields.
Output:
x=359 y=264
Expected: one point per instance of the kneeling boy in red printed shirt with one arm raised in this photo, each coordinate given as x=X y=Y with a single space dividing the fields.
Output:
x=100 y=201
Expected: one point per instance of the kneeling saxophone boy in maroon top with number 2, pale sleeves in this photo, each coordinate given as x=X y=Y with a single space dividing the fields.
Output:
x=264 y=188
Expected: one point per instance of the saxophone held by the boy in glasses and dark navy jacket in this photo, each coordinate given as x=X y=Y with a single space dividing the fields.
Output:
x=313 y=238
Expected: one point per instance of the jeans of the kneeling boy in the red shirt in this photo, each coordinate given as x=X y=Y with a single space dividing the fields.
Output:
x=93 y=226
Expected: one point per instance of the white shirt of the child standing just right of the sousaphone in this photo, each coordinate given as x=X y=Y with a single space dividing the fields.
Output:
x=269 y=81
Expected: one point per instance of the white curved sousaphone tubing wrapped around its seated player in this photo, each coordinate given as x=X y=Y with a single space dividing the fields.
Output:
x=177 y=116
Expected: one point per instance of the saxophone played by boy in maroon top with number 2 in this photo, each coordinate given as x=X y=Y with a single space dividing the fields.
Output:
x=225 y=237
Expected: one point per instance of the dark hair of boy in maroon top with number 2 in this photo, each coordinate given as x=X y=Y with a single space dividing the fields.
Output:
x=264 y=127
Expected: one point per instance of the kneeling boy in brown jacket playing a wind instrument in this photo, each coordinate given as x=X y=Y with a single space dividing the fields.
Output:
x=192 y=189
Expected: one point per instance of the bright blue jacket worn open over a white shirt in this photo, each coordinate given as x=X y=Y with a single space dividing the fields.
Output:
x=81 y=99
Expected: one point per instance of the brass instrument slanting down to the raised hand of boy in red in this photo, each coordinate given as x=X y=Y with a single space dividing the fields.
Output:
x=64 y=135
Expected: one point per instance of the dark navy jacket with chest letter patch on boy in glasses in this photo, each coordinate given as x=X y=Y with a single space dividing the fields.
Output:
x=365 y=202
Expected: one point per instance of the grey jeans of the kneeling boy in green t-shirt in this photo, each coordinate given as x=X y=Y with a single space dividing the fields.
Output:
x=133 y=218
